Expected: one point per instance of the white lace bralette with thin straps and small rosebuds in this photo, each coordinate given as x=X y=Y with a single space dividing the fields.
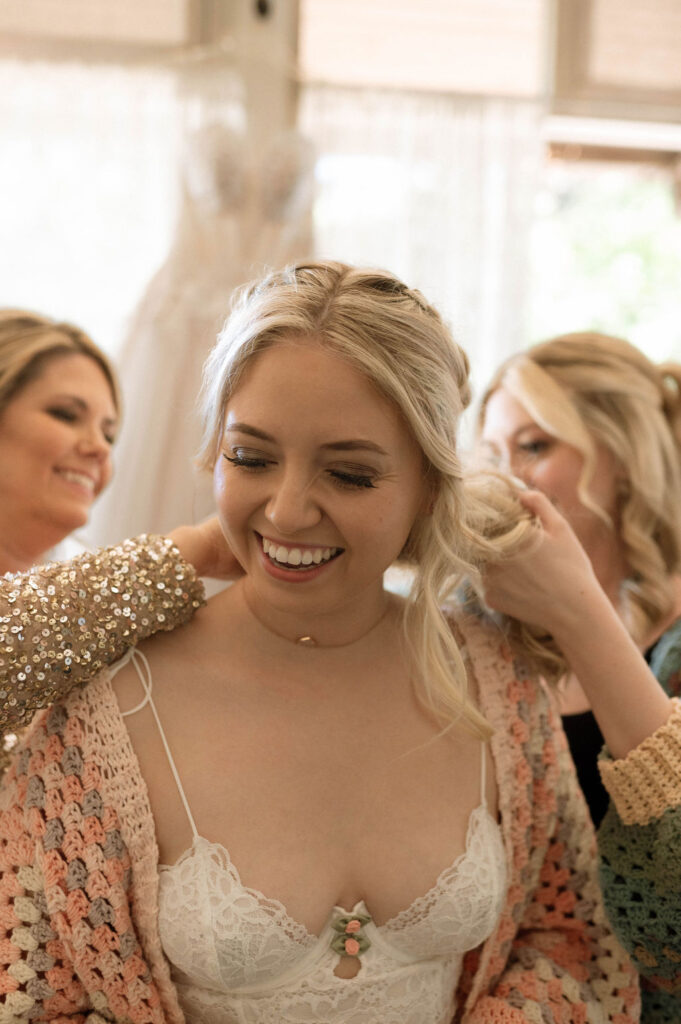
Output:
x=238 y=958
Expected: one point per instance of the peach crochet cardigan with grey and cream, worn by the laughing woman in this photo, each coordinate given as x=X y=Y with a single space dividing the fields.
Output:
x=79 y=941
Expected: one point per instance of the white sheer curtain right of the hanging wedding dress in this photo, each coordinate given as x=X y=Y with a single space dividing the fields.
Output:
x=440 y=190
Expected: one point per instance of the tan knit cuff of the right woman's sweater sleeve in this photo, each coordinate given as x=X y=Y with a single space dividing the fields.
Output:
x=649 y=781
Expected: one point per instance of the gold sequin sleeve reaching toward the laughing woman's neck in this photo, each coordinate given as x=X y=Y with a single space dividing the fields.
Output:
x=61 y=624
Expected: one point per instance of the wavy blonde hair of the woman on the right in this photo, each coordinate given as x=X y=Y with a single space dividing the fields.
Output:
x=589 y=390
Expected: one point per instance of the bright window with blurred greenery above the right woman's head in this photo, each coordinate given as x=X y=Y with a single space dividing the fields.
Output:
x=607 y=253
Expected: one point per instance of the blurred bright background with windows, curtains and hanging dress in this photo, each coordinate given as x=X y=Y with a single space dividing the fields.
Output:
x=520 y=161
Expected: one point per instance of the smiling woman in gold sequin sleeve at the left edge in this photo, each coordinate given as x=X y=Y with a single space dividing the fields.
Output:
x=60 y=409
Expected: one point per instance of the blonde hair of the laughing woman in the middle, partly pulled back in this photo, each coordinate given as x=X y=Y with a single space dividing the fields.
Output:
x=397 y=340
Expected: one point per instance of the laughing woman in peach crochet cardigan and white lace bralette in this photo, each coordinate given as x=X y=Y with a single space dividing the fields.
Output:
x=317 y=801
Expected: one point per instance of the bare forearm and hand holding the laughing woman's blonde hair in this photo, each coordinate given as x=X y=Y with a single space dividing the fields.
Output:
x=554 y=587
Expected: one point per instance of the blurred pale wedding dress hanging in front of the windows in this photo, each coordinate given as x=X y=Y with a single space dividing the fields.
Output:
x=242 y=211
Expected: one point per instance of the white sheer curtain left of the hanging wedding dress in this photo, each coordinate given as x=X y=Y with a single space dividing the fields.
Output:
x=89 y=188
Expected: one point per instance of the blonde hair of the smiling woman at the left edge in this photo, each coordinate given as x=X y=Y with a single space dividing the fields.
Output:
x=29 y=342
